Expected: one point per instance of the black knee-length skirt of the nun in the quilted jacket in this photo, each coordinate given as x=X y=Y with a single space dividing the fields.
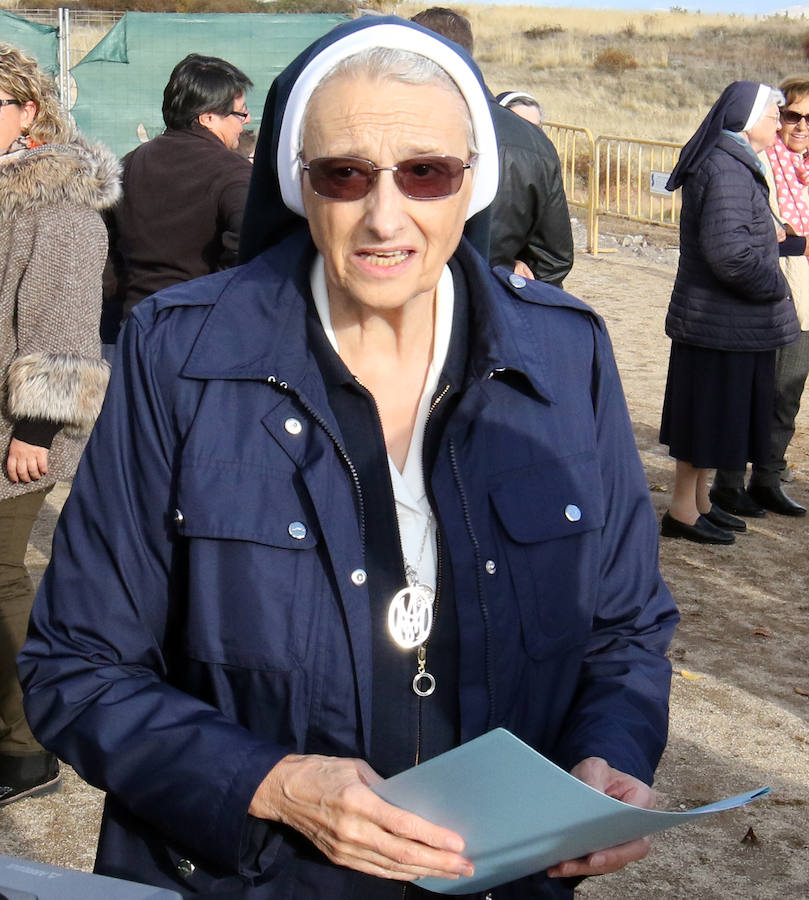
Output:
x=718 y=408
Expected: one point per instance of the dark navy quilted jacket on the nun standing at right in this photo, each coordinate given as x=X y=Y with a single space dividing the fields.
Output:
x=730 y=293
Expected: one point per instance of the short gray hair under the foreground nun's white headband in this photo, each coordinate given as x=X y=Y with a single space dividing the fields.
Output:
x=397 y=65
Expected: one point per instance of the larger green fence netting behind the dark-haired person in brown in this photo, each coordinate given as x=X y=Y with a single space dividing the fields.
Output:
x=120 y=81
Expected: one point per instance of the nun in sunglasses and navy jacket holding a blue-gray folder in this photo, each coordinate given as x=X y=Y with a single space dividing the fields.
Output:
x=347 y=506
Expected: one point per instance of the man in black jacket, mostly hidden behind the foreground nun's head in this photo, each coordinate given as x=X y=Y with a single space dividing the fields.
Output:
x=528 y=222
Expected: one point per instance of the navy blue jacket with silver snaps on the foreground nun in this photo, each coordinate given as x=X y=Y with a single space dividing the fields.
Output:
x=186 y=637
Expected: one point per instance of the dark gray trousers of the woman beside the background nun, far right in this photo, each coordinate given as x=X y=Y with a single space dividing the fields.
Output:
x=791 y=370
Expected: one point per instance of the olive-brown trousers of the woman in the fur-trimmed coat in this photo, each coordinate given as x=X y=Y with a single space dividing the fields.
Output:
x=17 y=517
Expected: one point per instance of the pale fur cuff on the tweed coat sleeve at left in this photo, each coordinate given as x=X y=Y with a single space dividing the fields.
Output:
x=58 y=387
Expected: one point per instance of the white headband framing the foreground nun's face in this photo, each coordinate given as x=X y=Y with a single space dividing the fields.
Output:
x=398 y=37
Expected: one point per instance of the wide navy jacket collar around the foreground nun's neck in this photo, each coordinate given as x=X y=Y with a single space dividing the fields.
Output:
x=257 y=327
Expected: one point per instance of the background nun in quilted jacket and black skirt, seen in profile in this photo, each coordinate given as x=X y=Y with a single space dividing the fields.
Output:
x=730 y=309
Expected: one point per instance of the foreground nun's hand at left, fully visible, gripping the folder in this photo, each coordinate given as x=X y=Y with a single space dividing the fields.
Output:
x=330 y=802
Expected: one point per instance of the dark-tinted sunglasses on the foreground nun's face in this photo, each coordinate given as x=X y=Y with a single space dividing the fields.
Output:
x=419 y=178
